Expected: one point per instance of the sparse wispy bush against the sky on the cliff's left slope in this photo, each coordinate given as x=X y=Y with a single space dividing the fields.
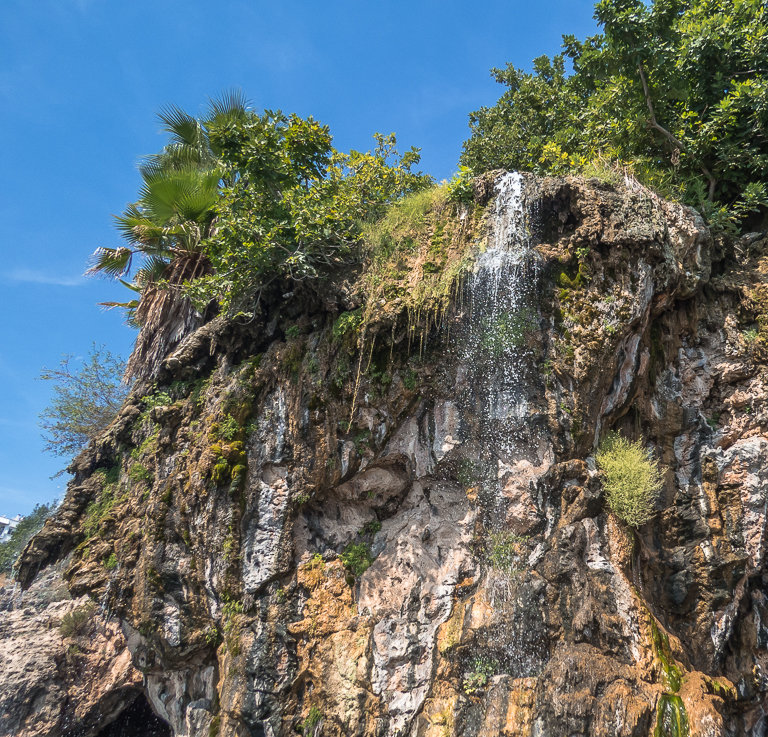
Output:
x=84 y=402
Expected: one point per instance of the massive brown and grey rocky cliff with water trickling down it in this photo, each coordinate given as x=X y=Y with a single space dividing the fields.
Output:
x=341 y=517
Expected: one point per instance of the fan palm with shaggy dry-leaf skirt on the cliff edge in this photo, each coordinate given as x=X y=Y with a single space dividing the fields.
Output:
x=166 y=229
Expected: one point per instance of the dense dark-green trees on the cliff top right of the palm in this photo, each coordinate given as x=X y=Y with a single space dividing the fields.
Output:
x=676 y=91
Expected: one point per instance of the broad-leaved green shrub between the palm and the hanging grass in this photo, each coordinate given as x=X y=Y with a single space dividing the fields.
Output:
x=291 y=206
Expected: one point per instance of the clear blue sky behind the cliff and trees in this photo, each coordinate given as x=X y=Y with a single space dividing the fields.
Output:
x=81 y=81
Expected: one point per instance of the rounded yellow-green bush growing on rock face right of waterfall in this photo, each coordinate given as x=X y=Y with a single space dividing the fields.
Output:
x=631 y=478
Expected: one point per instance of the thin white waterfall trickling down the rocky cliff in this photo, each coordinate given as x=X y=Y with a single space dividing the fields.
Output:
x=499 y=347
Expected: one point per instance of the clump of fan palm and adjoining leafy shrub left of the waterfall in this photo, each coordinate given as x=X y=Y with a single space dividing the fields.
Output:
x=237 y=199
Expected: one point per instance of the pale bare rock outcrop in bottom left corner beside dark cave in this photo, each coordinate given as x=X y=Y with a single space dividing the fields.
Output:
x=65 y=669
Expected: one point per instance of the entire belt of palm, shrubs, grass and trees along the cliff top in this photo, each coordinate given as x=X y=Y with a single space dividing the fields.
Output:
x=675 y=91
